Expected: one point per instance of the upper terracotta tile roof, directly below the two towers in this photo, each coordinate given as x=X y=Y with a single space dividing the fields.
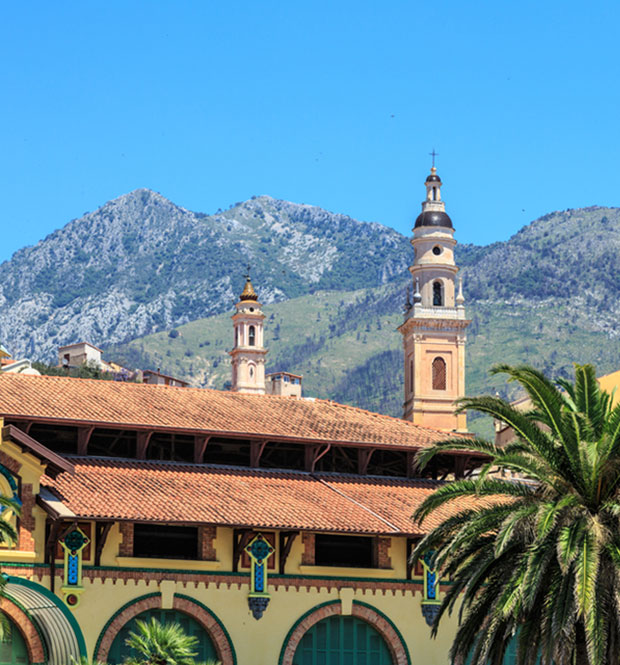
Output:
x=112 y=403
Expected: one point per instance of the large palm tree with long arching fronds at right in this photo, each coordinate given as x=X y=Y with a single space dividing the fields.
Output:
x=534 y=556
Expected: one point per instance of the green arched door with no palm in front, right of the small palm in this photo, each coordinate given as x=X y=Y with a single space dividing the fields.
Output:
x=342 y=640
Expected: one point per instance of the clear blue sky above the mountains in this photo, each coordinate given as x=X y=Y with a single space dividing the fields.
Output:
x=331 y=103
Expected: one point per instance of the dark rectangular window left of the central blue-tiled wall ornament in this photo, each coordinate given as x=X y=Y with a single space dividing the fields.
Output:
x=165 y=542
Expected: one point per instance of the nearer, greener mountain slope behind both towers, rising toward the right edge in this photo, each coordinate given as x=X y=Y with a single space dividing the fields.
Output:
x=547 y=296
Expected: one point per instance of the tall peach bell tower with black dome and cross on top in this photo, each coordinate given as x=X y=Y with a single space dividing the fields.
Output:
x=434 y=327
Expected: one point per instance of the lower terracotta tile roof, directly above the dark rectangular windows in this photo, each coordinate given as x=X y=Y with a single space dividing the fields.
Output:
x=169 y=492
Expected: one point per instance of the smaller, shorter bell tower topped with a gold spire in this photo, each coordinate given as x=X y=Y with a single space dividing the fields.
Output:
x=248 y=354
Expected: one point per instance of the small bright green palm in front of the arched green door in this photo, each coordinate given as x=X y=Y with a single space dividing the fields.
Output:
x=162 y=644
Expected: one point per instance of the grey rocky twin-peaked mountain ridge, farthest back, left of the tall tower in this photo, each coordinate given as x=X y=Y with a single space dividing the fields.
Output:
x=141 y=263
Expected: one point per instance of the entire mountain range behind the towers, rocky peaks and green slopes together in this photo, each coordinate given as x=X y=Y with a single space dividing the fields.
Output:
x=128 y=274
